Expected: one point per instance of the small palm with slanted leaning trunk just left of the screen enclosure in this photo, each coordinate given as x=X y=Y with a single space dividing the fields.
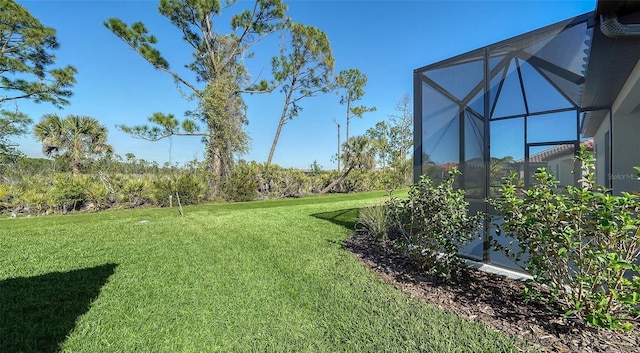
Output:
x=357 y=153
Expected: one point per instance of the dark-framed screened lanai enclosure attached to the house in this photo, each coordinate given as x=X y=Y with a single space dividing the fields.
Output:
x=516 y=105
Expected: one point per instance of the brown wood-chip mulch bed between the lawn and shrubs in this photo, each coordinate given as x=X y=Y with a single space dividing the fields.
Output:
x=495 y=301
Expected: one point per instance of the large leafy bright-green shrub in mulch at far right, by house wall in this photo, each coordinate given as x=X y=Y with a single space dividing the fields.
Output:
x=583 y=243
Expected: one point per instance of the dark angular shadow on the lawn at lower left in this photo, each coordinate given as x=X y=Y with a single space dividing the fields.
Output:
x=37 y=313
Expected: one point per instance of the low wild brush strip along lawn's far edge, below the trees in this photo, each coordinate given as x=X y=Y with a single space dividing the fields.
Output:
x=38 y=186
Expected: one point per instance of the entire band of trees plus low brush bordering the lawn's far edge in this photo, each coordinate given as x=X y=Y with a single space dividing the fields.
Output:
x=84 y=172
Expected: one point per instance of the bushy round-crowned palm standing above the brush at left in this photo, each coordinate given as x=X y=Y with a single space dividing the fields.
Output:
x=75 y=139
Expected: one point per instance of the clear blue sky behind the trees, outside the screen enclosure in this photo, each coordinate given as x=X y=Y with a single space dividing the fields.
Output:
x=386 y=40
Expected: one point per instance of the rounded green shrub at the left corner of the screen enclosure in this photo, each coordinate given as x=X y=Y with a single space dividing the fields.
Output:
x=432 y=225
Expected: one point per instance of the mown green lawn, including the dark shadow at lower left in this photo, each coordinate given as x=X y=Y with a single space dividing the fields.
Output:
x=266 y=276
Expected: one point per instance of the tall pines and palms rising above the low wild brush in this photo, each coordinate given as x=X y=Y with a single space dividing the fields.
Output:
x=303 y=69
